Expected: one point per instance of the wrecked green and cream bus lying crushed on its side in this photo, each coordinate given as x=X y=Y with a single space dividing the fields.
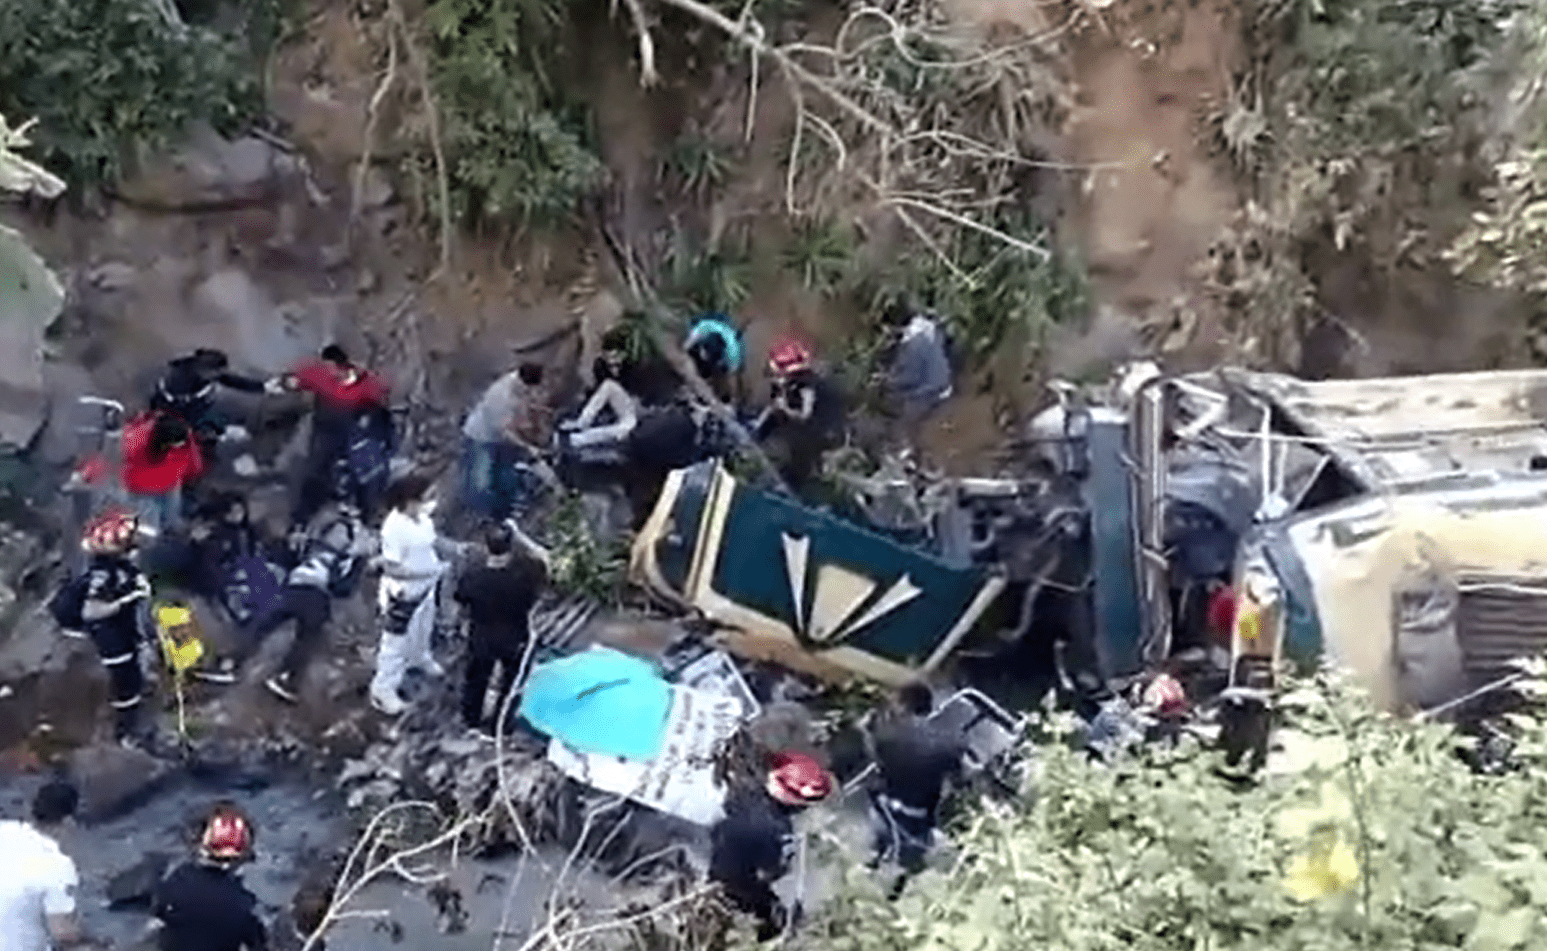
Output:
x=1395 y=527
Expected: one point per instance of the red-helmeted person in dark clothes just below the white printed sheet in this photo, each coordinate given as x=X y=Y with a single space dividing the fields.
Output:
x=753 y=845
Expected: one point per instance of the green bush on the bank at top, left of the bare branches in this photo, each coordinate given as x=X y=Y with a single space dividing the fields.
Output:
x=519 y=148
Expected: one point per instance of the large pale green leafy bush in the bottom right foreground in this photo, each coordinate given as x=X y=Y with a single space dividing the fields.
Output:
x=1371 y=834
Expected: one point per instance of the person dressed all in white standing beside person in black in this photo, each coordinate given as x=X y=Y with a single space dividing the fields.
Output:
x=409 y=591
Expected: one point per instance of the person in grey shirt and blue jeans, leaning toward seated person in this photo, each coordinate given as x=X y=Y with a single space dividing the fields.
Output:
x=508 y=428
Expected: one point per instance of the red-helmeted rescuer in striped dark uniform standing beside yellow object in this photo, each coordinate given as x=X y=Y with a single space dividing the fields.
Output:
x=112 y=610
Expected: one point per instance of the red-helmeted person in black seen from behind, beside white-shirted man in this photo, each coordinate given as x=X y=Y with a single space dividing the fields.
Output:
x=203 y=905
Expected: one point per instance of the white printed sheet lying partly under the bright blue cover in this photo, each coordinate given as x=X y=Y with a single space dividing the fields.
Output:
x=681 y=779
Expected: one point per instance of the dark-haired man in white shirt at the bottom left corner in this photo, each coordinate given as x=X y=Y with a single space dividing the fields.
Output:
x=38 y=881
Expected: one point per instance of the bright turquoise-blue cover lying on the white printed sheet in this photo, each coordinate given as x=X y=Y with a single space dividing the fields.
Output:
x=601 y=703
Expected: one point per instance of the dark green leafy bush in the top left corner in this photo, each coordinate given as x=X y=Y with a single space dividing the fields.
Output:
x=106 y=78
